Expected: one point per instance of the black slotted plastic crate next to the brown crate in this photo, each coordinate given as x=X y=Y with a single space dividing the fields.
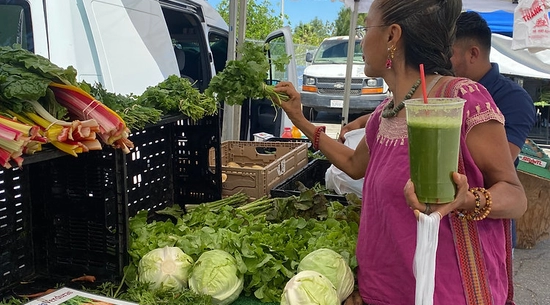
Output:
x=170 y=164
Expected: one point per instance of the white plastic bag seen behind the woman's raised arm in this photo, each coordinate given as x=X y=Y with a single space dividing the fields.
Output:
x=337 y=180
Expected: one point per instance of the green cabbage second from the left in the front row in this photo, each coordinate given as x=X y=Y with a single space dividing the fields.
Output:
x=215 y=273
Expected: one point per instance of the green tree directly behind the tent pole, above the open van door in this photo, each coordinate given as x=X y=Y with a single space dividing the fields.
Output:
x=261 y=18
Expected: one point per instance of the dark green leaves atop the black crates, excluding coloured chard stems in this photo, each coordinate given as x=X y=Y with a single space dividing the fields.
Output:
x=25 y=76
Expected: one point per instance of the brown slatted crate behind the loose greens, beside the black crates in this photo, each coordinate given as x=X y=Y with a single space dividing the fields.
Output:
x=273 y=161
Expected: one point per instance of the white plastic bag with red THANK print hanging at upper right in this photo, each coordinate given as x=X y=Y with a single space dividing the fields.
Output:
x=531 y=25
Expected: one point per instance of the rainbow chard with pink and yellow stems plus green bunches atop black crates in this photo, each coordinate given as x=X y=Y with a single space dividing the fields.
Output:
x=43 y=103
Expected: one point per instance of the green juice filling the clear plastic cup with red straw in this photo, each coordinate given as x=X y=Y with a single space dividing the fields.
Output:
x=433 y=153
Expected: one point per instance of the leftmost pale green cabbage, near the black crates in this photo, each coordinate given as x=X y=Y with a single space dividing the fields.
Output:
x=165 y=268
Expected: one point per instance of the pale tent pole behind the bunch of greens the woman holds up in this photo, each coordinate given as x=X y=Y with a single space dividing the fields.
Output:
x=228 y=126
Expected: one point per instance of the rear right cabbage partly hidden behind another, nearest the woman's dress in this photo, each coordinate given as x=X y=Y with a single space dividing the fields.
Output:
x=334 y=267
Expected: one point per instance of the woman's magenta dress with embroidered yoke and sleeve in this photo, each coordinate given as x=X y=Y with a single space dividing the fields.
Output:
x=387 y=234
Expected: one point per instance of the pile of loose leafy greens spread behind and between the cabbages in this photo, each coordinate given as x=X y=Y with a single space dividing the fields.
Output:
x=267 y=252
